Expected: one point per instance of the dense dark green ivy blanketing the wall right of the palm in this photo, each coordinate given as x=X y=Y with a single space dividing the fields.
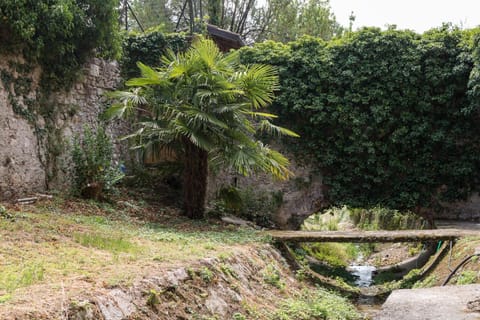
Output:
x=388 y=117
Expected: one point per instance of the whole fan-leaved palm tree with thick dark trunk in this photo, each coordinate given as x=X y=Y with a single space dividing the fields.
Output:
x=205 y=102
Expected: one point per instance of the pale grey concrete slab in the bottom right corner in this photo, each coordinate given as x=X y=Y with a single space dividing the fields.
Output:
x=445 y=303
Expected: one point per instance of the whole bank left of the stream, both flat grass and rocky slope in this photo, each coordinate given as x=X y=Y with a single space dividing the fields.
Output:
x=57 y=255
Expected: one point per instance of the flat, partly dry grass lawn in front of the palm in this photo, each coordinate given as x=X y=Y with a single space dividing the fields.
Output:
x=60 y=241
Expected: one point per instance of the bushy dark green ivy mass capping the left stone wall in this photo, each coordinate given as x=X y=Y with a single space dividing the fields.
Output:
x=60 y=34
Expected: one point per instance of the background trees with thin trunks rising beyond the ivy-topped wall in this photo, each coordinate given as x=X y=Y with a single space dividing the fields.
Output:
x=254 y=20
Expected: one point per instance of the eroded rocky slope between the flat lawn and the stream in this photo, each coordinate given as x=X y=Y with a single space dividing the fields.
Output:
x=251 y=282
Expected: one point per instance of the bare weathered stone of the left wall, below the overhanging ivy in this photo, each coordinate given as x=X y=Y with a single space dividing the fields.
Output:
x=34 y=154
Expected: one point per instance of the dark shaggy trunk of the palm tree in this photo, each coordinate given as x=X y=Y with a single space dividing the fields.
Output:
x=195 y=176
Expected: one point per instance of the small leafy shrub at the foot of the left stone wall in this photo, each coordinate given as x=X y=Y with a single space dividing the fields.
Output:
x=92 y=162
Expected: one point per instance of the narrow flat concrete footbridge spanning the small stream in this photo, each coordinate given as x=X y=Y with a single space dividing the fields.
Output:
x=372 y=236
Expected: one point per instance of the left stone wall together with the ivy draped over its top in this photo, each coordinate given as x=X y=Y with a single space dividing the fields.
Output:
x=51 y=84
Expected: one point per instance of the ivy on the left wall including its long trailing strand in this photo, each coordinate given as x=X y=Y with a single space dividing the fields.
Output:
x=58 y=36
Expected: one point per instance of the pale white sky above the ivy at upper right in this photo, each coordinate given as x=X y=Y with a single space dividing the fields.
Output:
x=417 y=15
